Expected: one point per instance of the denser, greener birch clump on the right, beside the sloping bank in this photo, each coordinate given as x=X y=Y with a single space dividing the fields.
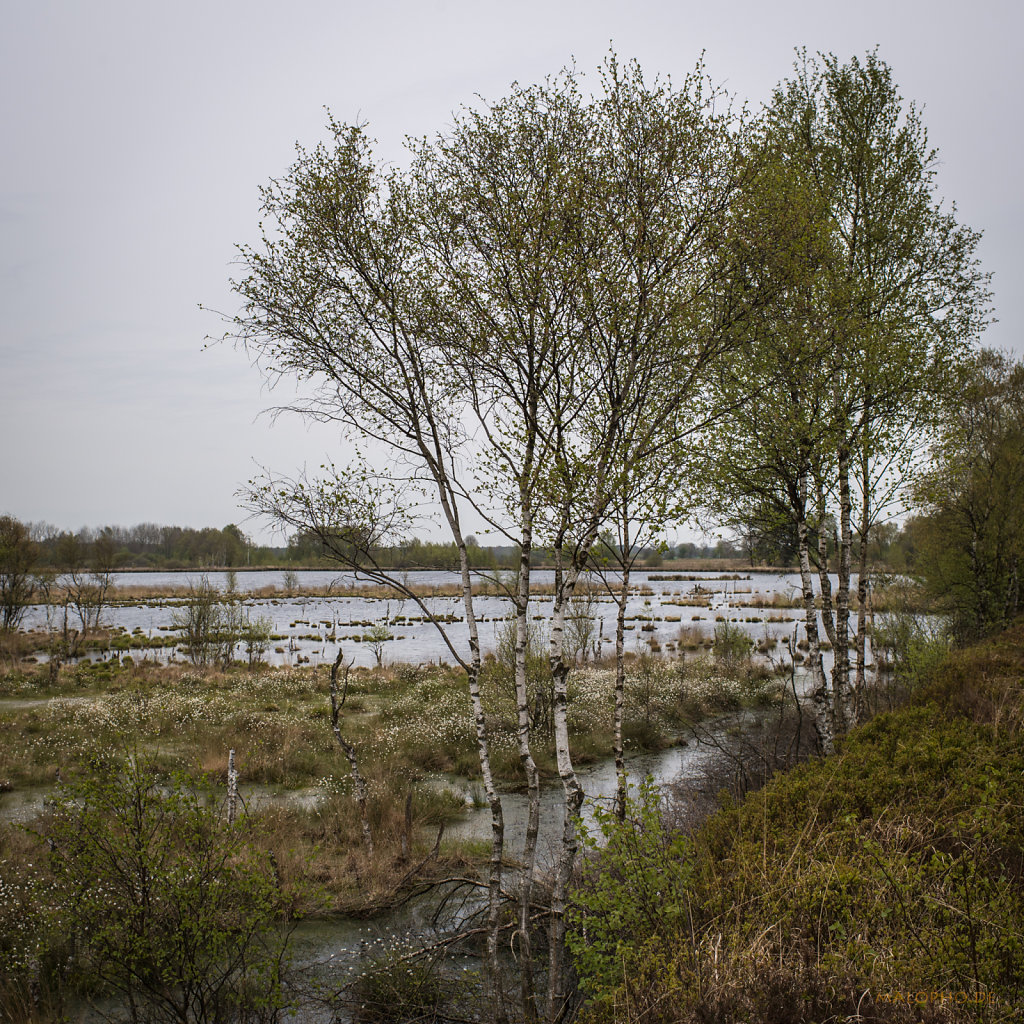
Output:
x=881 y=294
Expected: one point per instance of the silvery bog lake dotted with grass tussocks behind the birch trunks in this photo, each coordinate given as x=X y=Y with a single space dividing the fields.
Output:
x=310 y=629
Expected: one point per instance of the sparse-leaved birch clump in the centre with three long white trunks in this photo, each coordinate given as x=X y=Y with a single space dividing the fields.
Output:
x=530 y=309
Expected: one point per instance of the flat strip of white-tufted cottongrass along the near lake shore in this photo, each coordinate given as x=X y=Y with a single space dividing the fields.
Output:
x=410 y=721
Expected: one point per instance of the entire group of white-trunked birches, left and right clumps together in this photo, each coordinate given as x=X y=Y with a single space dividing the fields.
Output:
x=575 y=313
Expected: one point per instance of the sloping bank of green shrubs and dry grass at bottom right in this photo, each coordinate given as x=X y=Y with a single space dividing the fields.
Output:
x=883 y=884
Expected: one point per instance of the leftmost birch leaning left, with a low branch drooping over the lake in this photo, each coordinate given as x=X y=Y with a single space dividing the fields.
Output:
x=333 y=297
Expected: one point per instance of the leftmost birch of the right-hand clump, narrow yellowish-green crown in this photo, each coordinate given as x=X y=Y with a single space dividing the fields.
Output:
x=765 y=453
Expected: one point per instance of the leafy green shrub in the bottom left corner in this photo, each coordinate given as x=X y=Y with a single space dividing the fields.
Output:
x=166 y=905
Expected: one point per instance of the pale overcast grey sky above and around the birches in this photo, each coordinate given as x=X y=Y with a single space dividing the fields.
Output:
x=136 y=136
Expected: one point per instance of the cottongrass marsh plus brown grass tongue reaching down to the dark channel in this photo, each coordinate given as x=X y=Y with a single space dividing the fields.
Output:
x=407 y=723
